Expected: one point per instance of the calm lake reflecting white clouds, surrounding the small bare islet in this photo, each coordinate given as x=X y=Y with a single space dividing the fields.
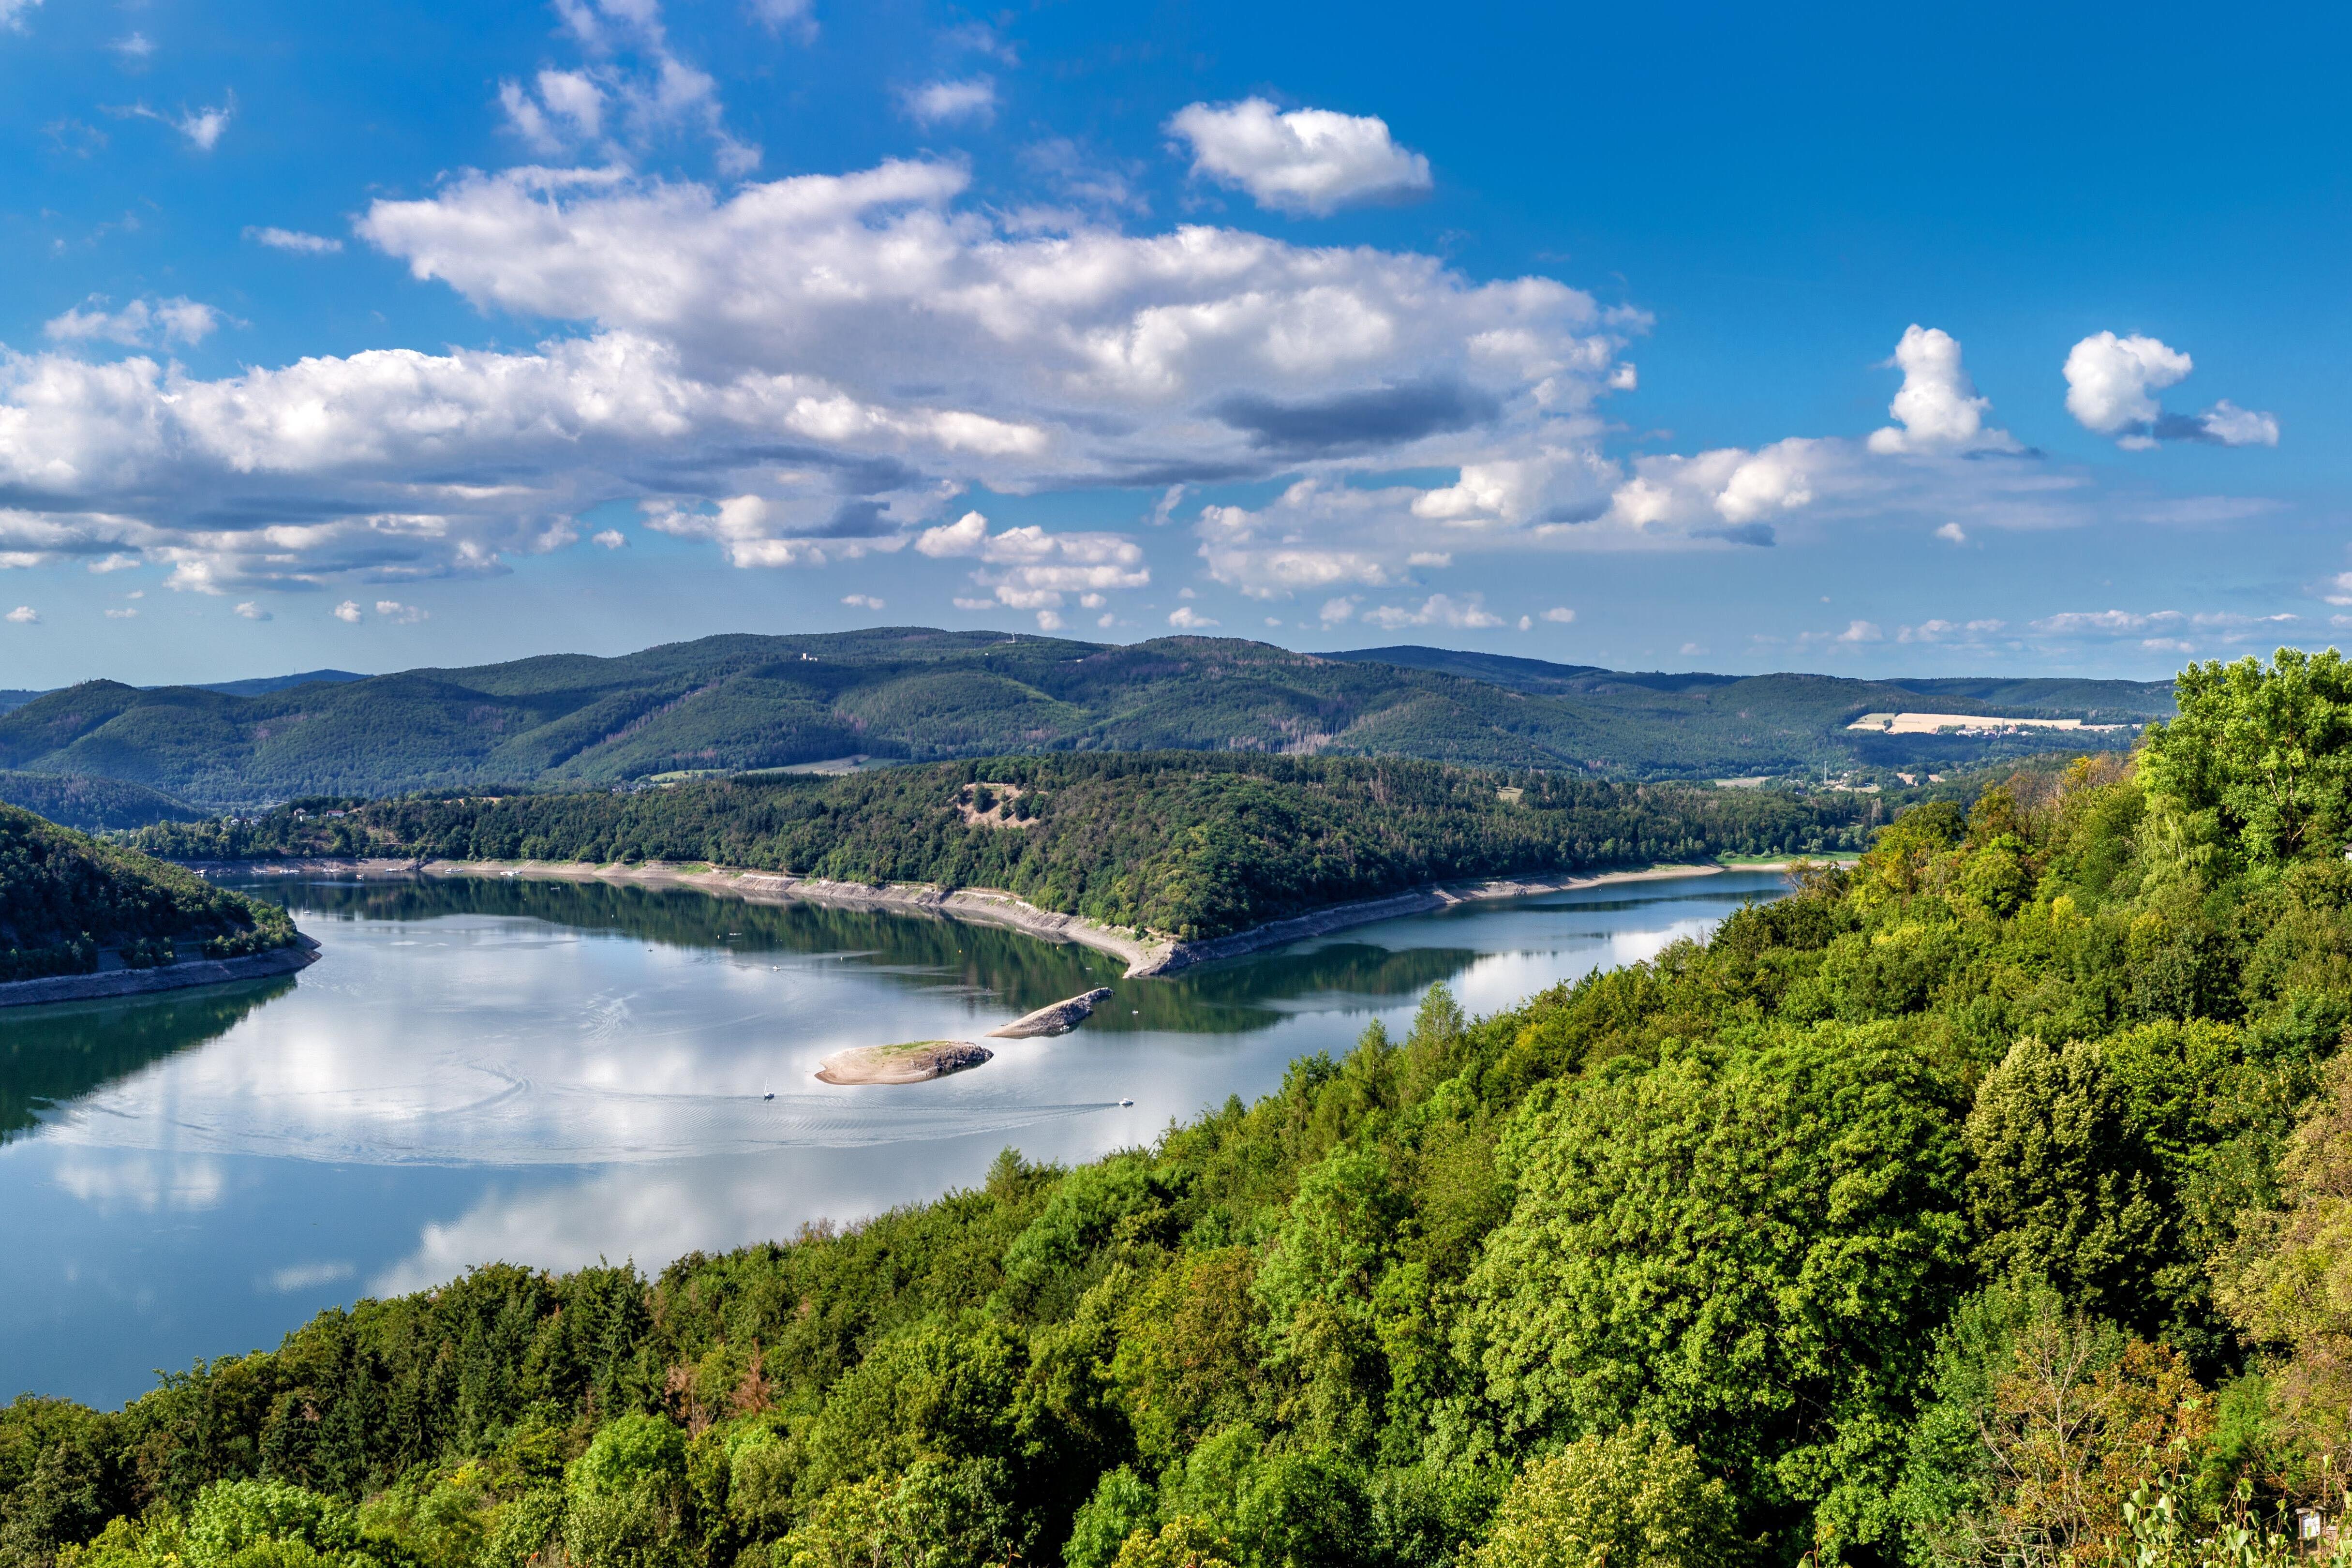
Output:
x=554 y=1073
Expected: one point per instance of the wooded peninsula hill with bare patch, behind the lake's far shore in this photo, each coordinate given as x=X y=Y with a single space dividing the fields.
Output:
x=1180 y=843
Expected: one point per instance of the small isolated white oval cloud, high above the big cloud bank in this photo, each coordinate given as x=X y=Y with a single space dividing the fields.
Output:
x=1309 y=161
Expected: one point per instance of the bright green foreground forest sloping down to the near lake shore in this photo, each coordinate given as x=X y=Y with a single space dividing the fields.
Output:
x=1984 y=1202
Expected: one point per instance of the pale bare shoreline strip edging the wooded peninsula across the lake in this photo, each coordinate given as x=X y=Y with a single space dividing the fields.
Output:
x=1144 y=953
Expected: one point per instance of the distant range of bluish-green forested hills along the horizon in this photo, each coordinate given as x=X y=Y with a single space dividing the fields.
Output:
x=728 y=704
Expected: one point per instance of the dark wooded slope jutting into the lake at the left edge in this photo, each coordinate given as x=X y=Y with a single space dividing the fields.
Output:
x=67 y=899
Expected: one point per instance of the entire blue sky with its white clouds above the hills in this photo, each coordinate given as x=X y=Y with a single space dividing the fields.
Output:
x=1655 y=337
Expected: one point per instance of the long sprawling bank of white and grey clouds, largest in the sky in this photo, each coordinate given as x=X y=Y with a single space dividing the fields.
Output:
x=815 y=370
